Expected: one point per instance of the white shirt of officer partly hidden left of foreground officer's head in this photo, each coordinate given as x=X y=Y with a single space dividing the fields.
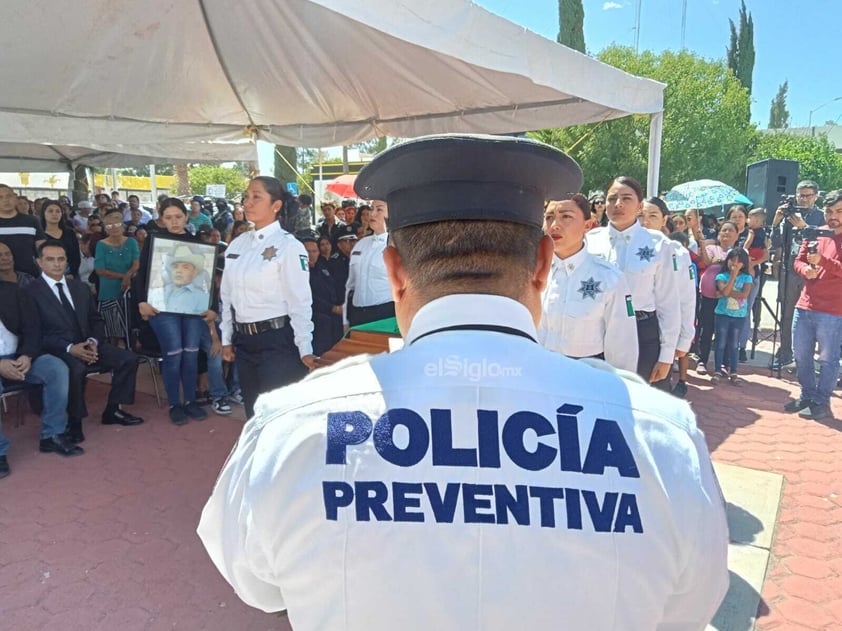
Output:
x=367 y=276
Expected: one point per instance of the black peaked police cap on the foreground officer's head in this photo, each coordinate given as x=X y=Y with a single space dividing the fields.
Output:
x=468 y=177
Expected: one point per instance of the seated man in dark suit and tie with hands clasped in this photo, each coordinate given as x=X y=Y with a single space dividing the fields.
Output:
x=74 y=331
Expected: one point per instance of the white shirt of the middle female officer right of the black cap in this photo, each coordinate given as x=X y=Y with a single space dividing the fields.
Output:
x=645 y=258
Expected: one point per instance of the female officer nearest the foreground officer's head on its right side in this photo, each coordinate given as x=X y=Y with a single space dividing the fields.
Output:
x=586 y=310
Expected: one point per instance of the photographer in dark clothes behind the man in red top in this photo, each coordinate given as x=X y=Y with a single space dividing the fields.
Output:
x=793 y=215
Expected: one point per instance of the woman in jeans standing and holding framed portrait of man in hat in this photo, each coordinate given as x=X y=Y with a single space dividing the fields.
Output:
x=173 y=289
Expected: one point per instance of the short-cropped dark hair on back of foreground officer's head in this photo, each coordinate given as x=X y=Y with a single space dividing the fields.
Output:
x=450 y=257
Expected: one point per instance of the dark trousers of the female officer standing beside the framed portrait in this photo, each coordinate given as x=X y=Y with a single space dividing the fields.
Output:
x=266 y=361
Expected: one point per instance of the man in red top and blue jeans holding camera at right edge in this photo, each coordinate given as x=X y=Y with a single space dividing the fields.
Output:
x=818 y=314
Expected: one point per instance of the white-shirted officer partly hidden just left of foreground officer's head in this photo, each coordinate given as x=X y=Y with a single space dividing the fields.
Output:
x=368 y=293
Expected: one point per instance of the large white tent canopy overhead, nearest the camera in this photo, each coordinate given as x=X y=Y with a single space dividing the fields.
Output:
x=139 y=78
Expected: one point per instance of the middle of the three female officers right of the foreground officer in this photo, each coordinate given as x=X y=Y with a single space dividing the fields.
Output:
x=645 y=257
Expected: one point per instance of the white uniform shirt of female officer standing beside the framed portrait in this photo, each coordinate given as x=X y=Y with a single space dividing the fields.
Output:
x=267 y=276
